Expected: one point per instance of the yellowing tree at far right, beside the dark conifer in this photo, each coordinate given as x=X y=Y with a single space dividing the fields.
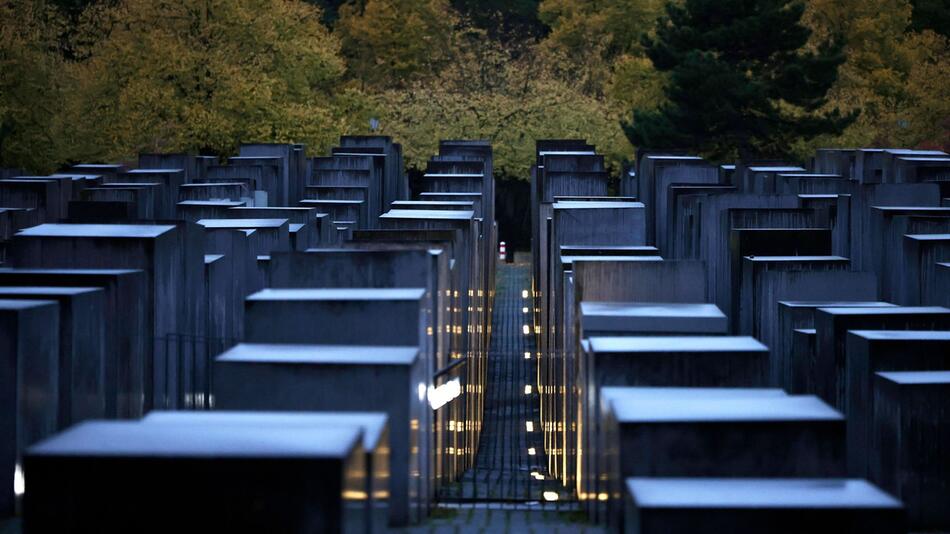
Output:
x=896 y=77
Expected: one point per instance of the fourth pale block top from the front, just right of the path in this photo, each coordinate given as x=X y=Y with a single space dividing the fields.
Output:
x=633 y=344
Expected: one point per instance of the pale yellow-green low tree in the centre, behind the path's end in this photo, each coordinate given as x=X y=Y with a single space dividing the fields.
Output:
x=488 y=93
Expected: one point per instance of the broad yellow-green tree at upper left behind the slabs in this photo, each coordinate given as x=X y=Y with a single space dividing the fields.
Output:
x=206 y=75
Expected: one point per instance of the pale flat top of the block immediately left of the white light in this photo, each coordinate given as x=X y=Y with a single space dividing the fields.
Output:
x=319 y=354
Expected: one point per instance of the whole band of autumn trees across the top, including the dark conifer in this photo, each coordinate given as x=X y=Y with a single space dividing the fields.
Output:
x=98 y=80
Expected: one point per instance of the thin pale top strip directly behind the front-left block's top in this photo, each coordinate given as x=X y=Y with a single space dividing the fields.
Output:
x=372 y=423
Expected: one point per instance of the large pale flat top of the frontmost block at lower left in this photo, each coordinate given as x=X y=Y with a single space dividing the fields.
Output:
x=133 y=439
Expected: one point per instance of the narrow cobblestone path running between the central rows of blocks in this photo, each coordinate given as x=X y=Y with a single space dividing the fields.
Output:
x=505 y=490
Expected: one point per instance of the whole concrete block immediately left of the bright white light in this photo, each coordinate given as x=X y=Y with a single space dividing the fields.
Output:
x=308 y=378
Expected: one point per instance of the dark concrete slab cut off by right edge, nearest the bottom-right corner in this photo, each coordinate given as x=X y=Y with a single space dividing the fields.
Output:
x=910 y=439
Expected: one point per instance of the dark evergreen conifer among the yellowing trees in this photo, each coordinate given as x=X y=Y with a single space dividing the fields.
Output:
x=741 y=80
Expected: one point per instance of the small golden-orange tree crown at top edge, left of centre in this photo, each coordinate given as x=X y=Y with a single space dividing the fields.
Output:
x=390 y=43
